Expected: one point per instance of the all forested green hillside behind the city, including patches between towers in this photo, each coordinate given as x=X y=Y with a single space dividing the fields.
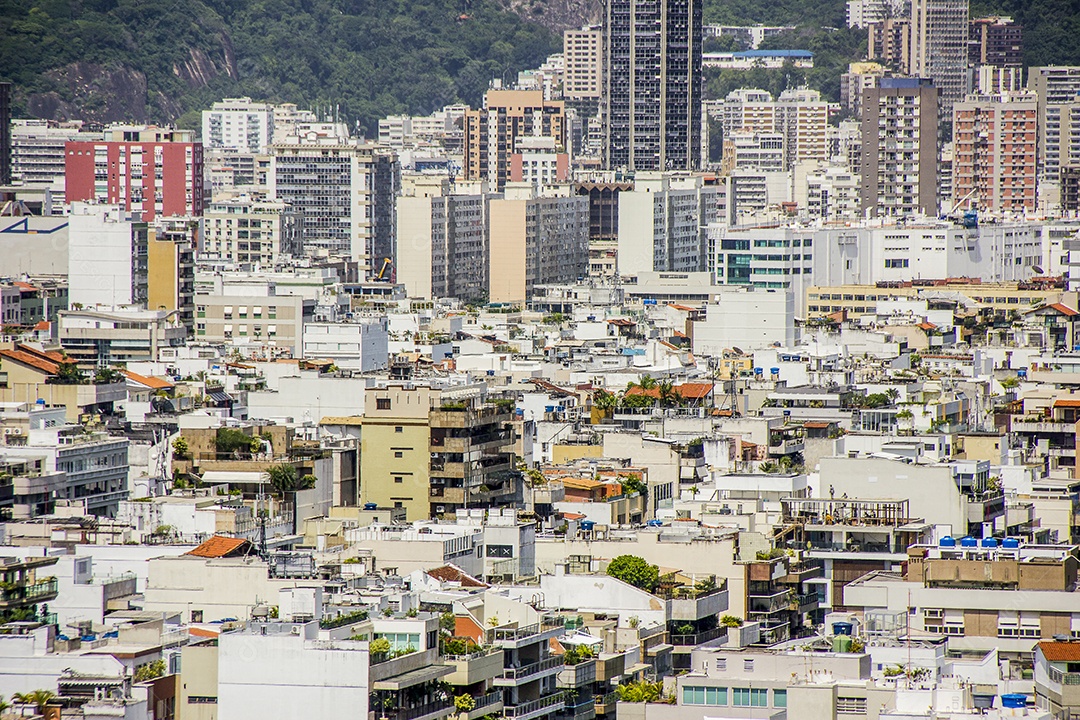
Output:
x=165 y=60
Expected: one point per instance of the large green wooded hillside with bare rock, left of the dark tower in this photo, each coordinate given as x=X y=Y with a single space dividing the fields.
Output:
x=158 y=60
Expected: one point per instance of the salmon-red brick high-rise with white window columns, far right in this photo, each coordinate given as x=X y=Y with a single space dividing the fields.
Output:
x=994 y=145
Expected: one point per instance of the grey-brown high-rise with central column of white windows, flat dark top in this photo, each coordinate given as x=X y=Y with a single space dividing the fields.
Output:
x=900 y=148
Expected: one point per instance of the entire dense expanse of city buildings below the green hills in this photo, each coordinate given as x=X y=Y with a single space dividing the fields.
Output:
x=601 y=400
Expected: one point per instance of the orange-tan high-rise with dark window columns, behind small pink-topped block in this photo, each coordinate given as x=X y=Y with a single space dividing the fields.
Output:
x=493 y=133
